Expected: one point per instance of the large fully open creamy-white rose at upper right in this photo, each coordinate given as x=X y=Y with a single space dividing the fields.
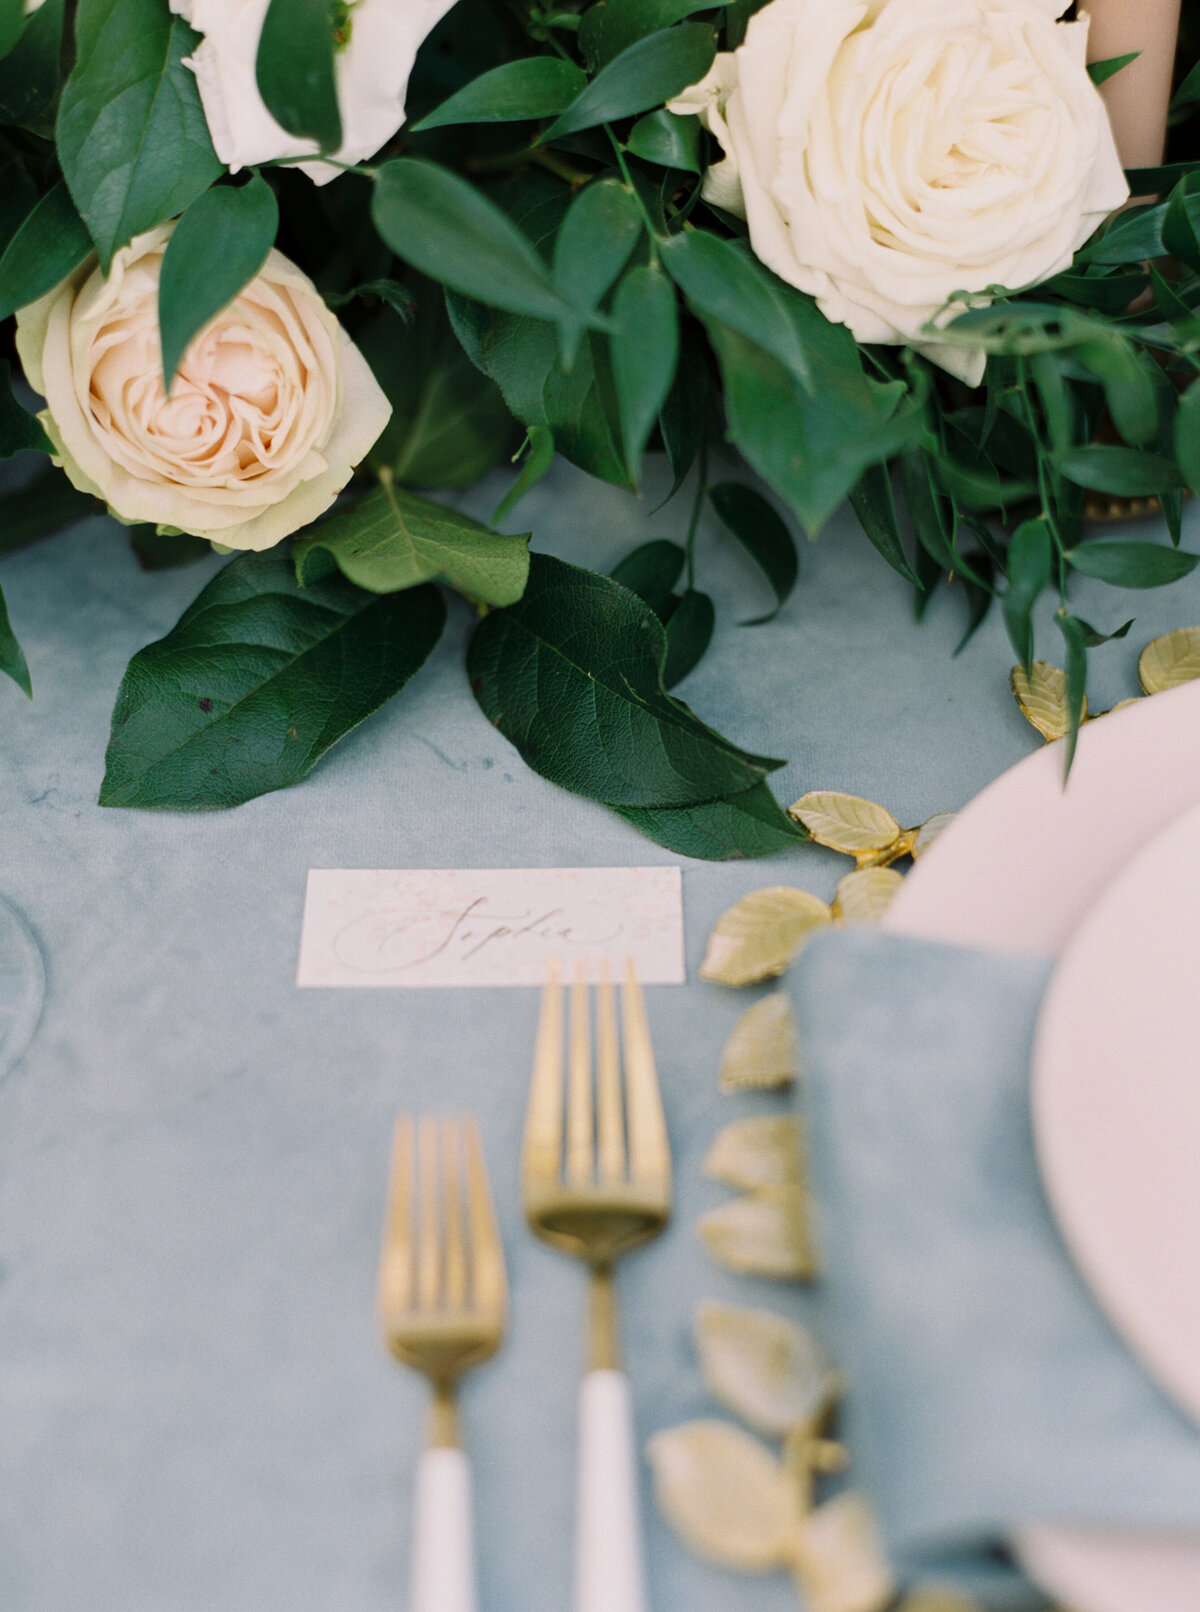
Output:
x=888 y=154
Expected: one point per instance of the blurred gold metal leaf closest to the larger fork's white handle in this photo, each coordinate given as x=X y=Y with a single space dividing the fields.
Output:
x=725 y=1495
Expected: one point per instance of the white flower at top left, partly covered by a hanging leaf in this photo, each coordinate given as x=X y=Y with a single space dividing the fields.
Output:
x=372 y=69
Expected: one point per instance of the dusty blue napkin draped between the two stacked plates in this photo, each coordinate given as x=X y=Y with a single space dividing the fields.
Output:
x=986 y=1386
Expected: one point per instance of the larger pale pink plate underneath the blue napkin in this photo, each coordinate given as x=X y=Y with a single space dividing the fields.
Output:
x=1019 y=870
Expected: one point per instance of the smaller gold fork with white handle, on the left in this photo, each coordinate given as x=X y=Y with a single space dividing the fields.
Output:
x=443 y=1300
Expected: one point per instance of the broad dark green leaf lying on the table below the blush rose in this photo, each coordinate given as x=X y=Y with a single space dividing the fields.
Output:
x=257 y=681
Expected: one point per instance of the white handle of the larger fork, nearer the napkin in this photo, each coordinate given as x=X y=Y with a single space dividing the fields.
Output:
x=609 y=1531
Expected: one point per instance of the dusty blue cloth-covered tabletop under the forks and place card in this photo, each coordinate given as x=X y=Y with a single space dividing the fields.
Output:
x=196 y=1408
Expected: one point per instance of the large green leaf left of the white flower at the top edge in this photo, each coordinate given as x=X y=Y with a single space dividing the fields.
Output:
x=131 y=133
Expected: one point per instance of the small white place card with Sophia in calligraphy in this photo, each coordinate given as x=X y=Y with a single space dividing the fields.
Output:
x=498 y=926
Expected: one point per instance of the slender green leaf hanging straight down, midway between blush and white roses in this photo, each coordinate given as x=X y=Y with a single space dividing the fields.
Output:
x=646 y=349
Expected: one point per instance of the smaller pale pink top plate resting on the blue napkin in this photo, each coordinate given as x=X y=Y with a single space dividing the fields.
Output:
x=1117 y=1105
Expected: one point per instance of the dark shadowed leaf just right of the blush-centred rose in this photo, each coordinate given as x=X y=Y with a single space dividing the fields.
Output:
x=449 y=423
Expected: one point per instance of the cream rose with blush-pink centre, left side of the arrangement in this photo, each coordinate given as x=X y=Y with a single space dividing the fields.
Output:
x=272 y=409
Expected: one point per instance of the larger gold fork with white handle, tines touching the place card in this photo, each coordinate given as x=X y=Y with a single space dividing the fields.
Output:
x=596 y=1174
